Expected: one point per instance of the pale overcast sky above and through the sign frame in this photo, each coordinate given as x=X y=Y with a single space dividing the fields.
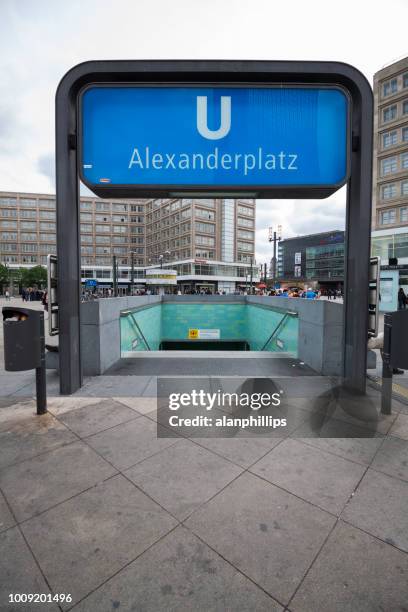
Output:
x=41 y=39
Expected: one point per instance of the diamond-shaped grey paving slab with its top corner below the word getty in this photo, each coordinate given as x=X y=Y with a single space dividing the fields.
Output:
x=182 y=477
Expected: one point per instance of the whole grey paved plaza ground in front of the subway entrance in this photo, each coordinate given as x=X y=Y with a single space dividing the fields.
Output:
x=93 y=504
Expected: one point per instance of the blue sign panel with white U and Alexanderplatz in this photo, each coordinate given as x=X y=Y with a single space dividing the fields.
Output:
x=205 y=138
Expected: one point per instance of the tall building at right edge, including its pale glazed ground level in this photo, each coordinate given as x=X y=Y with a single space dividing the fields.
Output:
x=390 y=179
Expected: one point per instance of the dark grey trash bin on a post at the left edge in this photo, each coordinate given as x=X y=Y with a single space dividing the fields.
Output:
x=24 y=346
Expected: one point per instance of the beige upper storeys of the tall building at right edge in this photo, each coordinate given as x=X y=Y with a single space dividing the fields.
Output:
x=390 y=164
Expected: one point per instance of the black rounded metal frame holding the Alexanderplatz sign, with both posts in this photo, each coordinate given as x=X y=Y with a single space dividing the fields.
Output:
x=358 y=216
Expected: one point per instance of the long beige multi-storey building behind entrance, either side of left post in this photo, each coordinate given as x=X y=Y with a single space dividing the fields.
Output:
x=210 y=242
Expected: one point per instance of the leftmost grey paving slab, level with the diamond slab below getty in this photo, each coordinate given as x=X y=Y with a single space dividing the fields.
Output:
x=39 y=483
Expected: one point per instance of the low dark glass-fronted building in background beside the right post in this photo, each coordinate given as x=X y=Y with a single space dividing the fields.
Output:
x=316 y=260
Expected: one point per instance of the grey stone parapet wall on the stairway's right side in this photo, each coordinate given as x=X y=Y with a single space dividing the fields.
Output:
x=320 y=342
